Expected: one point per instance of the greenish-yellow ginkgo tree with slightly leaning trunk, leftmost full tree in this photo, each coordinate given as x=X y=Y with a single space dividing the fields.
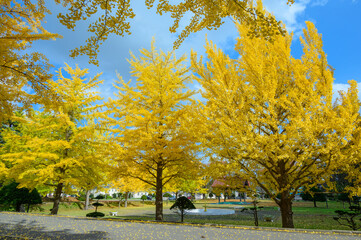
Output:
x=60 y=146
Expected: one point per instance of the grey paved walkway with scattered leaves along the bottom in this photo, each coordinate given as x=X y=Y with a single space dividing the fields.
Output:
x=24 y=226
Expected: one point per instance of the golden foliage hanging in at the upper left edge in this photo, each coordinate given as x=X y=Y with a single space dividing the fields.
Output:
x=21 y=72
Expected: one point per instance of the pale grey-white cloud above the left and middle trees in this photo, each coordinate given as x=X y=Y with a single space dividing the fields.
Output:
x=115 y=51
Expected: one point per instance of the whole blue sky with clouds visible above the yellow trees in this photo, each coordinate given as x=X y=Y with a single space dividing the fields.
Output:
x=339 y=21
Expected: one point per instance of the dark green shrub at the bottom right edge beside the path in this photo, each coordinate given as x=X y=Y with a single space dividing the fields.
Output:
x=350 y=218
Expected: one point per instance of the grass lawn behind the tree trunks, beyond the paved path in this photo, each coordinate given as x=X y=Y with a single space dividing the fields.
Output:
x=305 y=215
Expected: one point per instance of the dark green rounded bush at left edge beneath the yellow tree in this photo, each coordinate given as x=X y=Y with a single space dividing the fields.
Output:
x=11 y=196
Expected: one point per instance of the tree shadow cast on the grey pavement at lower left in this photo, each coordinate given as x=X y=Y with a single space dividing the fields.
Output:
x=32 y=230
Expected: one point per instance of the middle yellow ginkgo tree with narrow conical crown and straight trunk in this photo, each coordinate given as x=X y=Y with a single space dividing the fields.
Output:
x=150 y=140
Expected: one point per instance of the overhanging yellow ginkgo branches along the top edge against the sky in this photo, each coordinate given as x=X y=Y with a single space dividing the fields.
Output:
x=113 y=18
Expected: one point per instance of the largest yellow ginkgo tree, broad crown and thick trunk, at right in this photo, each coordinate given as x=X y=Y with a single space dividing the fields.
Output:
x=271 y=115
